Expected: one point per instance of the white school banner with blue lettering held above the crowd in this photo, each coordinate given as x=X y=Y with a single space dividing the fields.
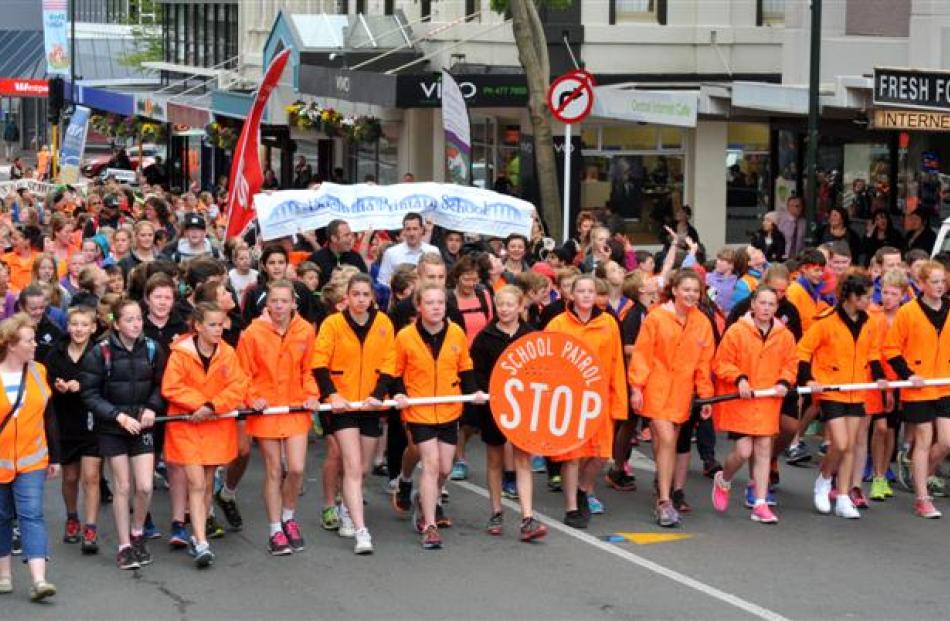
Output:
x=364 y=206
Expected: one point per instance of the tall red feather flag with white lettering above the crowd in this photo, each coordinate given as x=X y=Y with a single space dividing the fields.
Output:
x=246 y=176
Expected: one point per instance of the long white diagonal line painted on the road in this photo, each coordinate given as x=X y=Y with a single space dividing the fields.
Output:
x=728 y=598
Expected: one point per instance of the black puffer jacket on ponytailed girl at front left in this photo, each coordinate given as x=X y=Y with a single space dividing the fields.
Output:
x=134 y=383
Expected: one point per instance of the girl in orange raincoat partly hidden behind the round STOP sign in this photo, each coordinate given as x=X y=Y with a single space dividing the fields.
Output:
x=598 y=331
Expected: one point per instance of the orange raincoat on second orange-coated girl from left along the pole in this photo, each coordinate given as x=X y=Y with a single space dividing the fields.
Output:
x=279 y=371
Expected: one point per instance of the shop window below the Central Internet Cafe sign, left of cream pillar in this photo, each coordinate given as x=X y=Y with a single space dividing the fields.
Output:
x=638 y=171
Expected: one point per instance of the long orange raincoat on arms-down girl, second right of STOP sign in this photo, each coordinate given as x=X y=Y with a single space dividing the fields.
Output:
x=671 y=361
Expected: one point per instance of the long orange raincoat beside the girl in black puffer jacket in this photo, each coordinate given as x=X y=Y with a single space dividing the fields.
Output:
x=187 y=386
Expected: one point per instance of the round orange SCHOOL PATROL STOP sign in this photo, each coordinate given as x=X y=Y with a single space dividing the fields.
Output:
x=547 y=392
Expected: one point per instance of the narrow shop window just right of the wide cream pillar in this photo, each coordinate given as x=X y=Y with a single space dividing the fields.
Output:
x=747 y=179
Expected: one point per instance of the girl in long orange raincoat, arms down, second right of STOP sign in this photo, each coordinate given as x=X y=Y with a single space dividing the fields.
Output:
x=671 y=361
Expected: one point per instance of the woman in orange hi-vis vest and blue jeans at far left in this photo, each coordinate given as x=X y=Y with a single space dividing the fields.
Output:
x=29 y=453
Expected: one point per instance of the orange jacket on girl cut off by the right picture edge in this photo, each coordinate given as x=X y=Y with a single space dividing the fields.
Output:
x=914 y=347
